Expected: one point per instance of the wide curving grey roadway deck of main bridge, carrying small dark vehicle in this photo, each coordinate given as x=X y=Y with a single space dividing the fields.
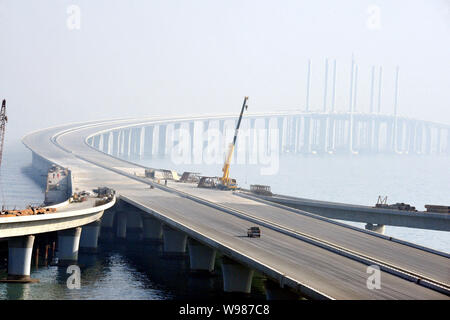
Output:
x=312 y=256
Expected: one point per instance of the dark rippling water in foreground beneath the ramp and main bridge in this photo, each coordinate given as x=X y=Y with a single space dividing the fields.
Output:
x=120 y=271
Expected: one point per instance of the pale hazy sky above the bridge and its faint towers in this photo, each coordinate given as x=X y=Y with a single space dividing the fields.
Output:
x=135 y=58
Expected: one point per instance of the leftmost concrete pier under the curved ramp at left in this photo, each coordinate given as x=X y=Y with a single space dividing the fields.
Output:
x=19 y=258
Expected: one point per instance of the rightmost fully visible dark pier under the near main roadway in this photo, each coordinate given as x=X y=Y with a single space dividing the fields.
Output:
x=236 y=277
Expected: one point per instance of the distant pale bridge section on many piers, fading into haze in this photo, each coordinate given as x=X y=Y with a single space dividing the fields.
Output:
x=287 y=132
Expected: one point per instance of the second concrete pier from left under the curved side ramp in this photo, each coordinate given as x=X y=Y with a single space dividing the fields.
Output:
x=68 y=243
